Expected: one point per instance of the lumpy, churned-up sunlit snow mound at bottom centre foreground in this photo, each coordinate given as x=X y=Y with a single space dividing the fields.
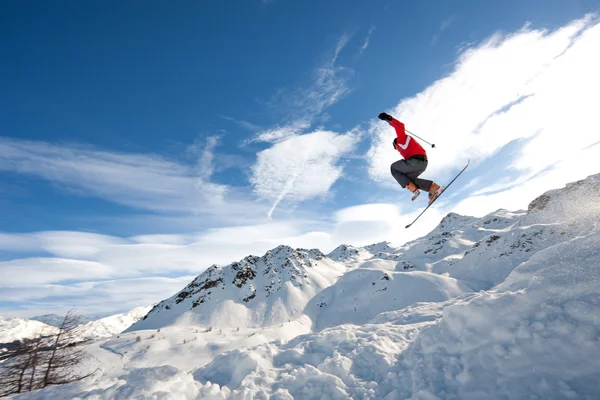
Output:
x=338 y=363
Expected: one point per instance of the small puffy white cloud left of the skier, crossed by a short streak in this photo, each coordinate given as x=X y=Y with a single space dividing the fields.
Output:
x=301 y=167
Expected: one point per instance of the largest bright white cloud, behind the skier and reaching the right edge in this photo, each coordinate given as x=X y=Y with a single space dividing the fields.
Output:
x=521 y=106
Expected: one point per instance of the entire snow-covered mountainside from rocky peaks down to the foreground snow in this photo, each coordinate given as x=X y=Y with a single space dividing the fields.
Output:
x=504 y=306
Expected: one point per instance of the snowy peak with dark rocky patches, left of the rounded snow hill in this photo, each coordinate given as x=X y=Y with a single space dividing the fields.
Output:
x=256 y=291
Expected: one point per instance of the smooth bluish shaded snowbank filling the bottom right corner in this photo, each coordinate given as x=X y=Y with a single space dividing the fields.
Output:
x=537 y=335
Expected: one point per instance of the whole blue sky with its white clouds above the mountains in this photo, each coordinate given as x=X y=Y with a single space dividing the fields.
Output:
x=141 y=141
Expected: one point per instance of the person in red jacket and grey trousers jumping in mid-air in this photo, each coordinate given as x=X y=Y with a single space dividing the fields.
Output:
x=406 y=171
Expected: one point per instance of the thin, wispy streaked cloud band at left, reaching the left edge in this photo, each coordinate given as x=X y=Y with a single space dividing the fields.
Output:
x=139 y=180
